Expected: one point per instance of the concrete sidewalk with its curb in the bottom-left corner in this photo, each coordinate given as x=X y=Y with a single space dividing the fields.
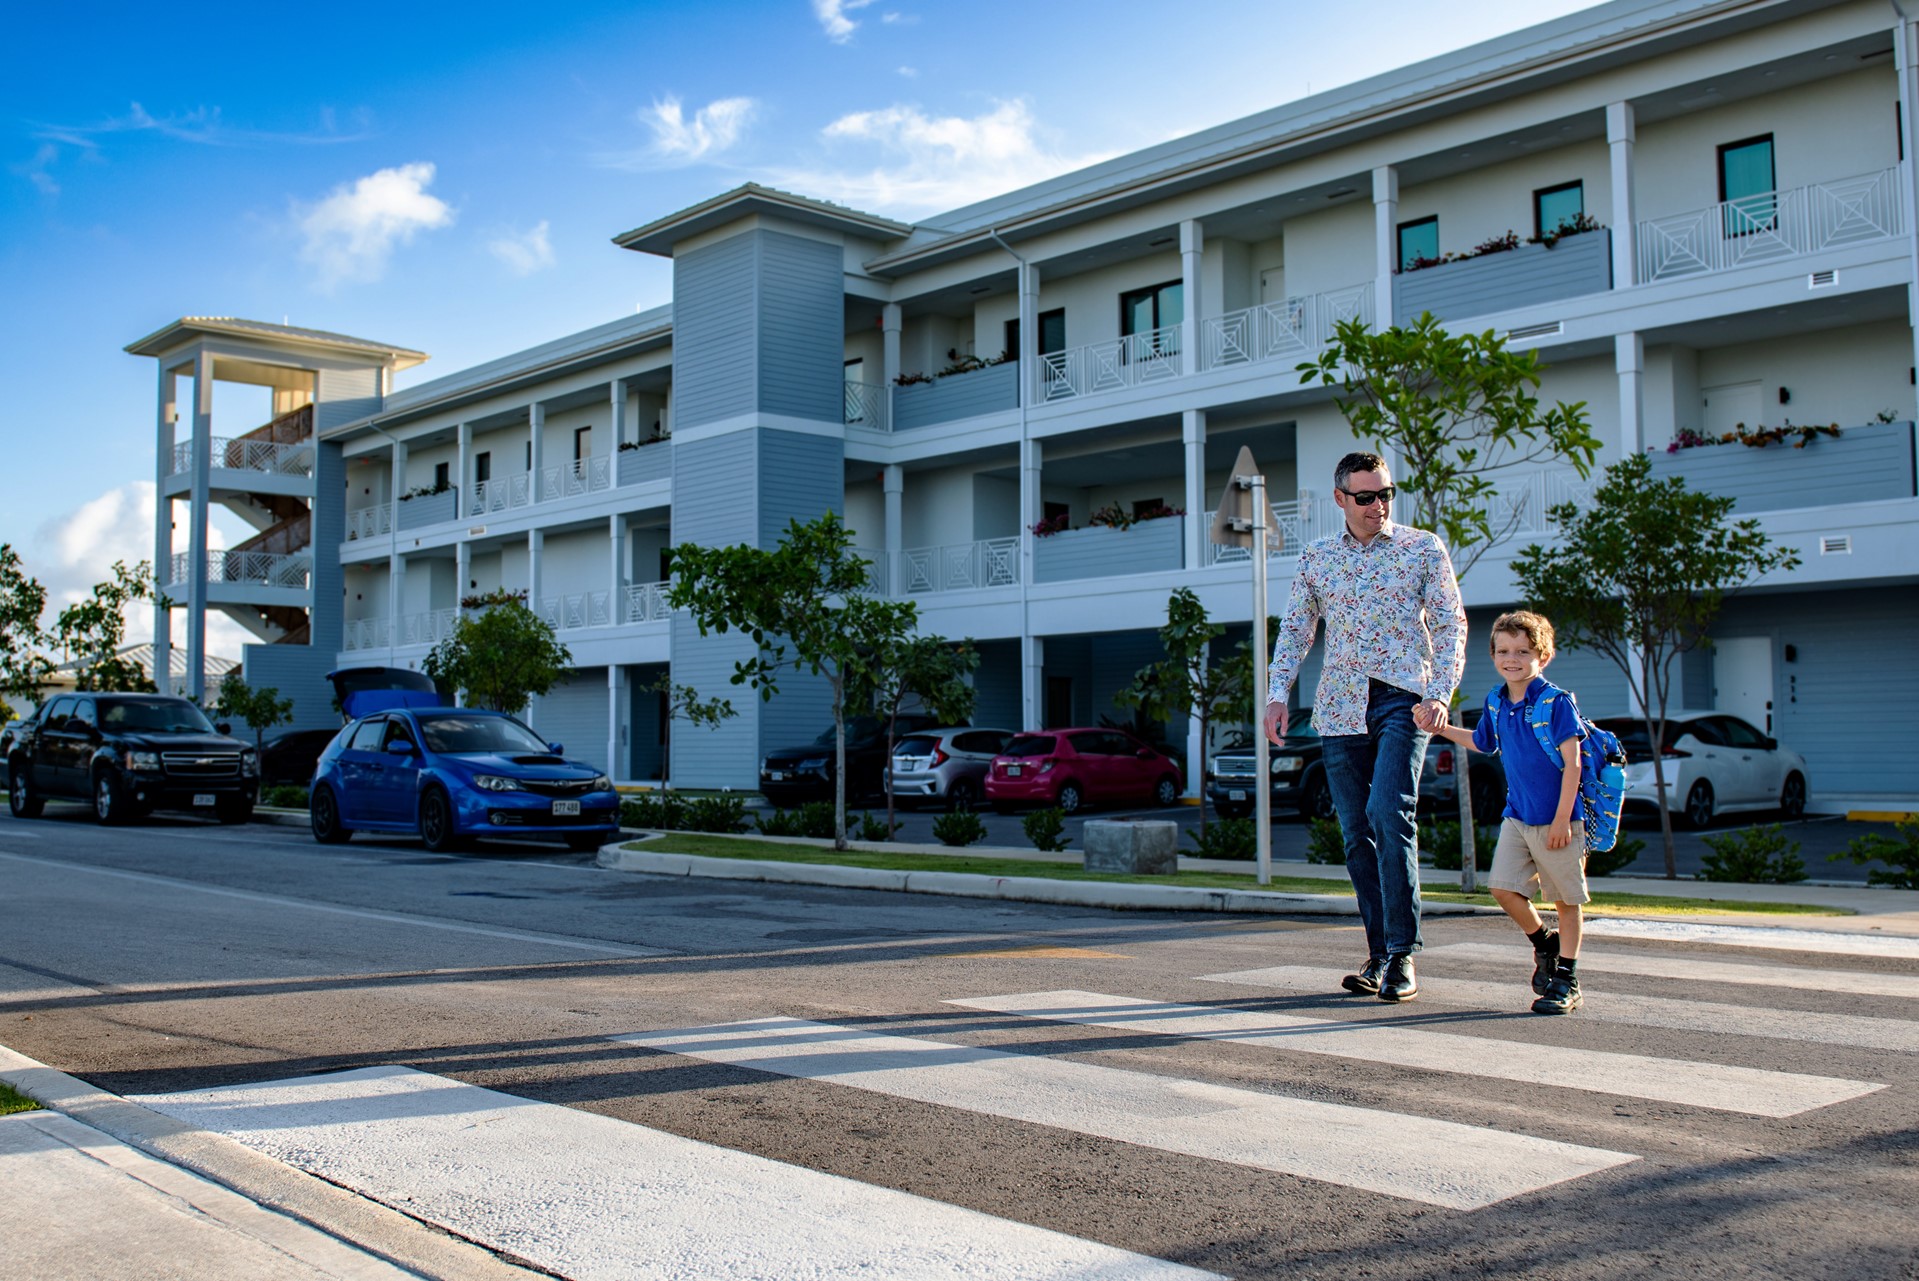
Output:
x=95 y=1186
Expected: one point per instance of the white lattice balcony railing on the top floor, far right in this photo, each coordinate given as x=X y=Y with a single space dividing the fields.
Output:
x=1772 y=225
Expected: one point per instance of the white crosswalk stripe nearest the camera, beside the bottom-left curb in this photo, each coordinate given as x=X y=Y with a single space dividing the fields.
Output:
x=600 y=1199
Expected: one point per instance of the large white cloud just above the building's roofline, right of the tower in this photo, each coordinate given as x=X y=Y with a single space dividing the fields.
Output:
x=930 y=164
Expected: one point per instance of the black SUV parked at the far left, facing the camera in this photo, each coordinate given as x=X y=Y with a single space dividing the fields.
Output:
x=130 y=755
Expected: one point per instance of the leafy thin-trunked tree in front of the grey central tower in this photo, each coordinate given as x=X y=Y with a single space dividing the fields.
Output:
x=807 y=607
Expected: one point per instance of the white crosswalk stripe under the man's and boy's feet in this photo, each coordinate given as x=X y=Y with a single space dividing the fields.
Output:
x=1619 y=1008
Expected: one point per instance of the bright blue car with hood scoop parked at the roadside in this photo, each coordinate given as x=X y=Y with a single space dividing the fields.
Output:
x=454 y=776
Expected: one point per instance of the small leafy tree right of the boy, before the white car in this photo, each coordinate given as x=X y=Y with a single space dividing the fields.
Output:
x=1640 y=578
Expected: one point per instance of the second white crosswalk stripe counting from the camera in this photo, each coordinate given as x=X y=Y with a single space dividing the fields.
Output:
x=1413 y=1157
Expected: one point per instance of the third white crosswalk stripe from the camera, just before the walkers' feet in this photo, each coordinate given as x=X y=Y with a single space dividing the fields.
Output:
x=1669 y=1081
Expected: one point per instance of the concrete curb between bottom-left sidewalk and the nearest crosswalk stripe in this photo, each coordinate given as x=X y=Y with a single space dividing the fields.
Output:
x=366 y=1224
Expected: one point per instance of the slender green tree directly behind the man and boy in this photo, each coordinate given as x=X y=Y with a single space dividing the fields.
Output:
x=1456 y=408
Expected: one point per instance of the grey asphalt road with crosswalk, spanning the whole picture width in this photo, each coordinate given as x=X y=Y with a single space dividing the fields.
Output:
x=185 y=956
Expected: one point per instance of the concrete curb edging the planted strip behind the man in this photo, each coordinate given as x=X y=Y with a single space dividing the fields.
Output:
x=1110 y=895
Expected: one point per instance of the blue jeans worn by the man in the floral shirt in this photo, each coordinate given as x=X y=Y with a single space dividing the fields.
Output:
x=1375 y=783
